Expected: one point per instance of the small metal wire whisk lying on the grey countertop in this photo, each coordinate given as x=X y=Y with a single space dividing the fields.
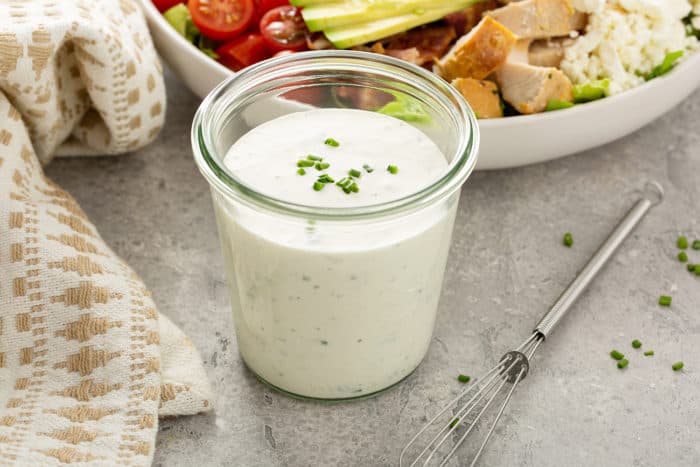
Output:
x=514 y=365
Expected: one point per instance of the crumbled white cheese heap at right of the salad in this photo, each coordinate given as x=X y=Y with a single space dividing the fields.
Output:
x=625 y=38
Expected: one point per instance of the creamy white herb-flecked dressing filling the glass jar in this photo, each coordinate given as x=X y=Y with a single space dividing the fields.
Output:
x=334 y=309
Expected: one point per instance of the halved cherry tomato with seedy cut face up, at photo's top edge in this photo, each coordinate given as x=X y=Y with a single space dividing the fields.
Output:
x=221 y=20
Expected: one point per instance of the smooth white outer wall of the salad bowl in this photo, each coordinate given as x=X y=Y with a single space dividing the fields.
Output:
x=505 y=142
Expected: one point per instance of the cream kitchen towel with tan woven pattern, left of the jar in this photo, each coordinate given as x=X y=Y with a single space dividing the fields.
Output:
x=86 y=363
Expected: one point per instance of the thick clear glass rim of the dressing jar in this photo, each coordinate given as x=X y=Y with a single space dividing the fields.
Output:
x=460 y=167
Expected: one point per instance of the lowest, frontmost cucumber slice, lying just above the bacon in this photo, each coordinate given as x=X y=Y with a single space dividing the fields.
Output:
x=360 y=33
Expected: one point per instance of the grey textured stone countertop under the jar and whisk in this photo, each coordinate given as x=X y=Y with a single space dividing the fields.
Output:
x=507 y=266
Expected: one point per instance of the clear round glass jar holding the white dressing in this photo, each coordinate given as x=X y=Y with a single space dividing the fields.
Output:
x=334 y=303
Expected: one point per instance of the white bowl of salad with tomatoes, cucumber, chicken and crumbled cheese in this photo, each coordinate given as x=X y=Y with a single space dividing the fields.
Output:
x=613 y=65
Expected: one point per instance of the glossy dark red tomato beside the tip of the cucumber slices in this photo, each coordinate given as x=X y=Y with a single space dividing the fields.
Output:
x=283 y=28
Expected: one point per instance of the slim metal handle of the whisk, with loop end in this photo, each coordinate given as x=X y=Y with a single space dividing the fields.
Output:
x=652 y=195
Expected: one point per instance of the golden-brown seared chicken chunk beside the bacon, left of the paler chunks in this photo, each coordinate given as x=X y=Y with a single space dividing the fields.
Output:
x=477 y=54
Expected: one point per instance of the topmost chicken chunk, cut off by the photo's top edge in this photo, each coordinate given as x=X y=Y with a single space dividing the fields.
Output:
x=536 y=19
